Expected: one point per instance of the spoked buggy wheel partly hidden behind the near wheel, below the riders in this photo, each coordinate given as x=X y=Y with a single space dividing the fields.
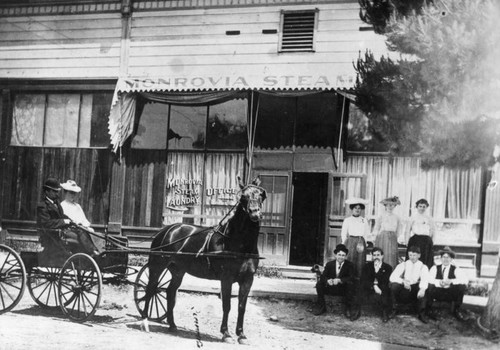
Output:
x=43 y=285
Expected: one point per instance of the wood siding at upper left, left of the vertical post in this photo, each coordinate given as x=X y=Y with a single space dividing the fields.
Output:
x=64 y=46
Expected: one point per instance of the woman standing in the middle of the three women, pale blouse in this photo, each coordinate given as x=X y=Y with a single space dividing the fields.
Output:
x=388 y=227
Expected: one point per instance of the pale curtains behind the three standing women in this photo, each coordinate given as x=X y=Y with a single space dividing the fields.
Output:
x=451 y=193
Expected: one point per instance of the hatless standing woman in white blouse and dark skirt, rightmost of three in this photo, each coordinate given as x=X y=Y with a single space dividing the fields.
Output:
x=421 y=230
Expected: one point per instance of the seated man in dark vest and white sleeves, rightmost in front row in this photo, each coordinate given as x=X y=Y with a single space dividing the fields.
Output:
x=447 y=282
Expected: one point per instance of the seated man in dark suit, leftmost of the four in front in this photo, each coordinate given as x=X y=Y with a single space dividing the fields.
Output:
x=338 y=278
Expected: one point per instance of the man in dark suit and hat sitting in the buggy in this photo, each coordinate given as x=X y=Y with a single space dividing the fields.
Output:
x=53 y=225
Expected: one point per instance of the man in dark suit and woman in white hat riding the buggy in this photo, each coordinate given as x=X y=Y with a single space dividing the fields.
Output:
x=54 y=218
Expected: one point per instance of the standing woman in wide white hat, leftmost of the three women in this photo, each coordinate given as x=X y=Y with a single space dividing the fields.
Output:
x=355 y=229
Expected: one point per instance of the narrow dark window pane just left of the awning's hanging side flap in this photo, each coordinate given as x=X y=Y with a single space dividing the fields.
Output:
x=101 y=102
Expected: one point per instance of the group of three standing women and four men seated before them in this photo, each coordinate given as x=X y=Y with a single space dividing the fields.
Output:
x=383 y=280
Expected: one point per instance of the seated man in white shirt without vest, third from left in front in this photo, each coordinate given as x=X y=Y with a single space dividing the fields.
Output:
x=409 y=282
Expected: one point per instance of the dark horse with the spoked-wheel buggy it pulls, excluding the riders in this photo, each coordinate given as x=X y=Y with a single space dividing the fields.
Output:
x=57 y=277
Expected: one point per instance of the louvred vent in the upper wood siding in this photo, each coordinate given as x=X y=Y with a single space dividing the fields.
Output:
x=298 y=31
